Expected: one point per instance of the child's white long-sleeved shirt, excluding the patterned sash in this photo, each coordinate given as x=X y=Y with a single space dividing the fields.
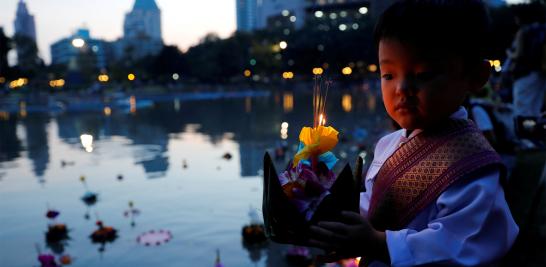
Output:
x=469 y=224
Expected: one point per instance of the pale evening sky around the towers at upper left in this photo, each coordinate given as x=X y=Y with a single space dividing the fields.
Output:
x=182 y=26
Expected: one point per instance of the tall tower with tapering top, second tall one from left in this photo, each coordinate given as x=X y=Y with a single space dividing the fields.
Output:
x=141 y=31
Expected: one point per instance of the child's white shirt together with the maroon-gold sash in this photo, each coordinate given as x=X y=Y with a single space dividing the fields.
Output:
x=437 y=194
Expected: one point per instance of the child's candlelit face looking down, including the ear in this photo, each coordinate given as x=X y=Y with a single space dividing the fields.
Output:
x=418 y=93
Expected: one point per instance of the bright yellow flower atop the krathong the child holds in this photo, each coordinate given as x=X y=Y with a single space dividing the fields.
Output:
x=317 y=141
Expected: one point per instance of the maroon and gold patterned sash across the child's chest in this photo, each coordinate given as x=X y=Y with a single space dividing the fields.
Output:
x=421 y=169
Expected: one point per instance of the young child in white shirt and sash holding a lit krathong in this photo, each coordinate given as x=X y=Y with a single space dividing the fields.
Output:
x=433 y=191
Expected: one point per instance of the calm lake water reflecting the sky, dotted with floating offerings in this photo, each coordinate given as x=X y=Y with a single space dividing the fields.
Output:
x=203 y=204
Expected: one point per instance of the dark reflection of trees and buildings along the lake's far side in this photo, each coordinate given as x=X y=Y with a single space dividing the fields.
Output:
x=253 y=122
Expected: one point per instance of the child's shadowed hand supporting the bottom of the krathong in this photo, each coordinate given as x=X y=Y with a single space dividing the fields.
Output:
x=354 y=237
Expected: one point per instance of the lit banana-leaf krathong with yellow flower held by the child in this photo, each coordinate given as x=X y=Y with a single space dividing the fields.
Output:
x=308 y=190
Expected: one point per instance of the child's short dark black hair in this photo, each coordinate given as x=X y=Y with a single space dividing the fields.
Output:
x=438 y=28
